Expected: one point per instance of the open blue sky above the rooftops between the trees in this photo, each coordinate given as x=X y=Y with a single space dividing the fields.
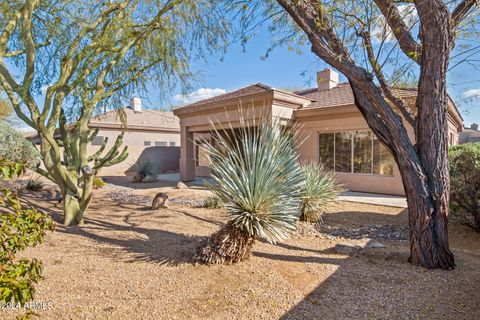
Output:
x=289 y=70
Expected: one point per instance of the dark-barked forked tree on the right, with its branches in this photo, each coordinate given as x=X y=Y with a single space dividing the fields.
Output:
x=372 y=42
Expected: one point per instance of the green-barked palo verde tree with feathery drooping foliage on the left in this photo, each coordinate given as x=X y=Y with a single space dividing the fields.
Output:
x=85 y=56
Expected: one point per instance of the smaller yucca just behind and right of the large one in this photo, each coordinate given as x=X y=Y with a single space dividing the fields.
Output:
x=318 y=192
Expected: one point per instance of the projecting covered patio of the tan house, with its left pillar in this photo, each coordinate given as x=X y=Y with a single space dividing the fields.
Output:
x=223 y=113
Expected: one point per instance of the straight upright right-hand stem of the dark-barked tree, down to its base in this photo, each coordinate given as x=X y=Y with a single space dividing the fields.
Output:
x=429 y=216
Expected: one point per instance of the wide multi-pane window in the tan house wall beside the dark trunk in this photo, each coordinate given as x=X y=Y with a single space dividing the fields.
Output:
x=354 y=152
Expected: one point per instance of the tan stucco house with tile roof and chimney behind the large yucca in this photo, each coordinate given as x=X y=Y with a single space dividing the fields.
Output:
x=335 y=132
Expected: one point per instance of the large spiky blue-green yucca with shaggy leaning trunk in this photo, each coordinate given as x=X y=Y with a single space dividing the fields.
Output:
x=258 y=180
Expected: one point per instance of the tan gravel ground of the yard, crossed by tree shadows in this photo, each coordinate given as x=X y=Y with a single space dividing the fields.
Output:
x=128 y=262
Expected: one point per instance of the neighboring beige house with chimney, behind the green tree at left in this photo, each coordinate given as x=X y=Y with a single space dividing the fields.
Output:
x=149 y=134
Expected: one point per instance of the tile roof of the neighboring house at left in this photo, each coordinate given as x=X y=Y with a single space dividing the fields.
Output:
x=147 y=118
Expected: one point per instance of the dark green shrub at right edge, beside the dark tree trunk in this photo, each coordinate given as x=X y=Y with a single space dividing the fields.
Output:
x=465 y=183
